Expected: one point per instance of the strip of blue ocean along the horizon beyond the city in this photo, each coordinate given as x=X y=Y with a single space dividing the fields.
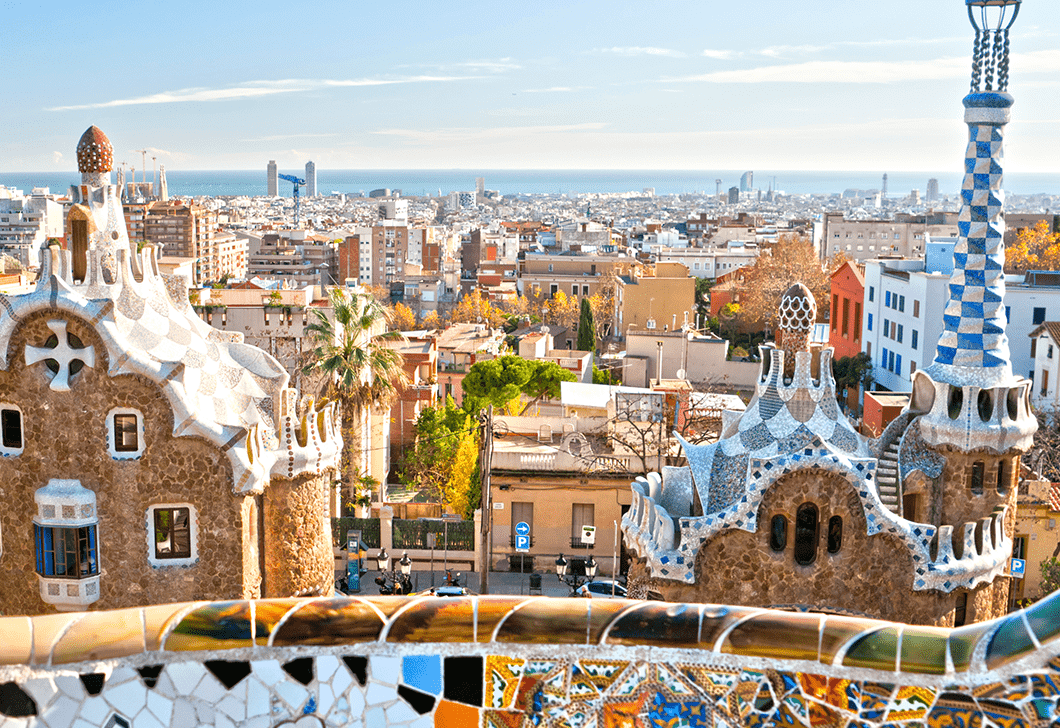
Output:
x=413 y=183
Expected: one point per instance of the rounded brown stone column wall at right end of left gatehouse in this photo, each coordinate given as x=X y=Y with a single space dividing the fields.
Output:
x=299 y=560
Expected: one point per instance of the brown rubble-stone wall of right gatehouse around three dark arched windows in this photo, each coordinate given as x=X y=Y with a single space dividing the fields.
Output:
x=739 y=567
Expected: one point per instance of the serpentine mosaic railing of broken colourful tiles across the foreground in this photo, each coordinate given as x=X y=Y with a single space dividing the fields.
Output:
x=508 y=662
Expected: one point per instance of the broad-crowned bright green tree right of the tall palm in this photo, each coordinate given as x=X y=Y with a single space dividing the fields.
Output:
x=501 y=382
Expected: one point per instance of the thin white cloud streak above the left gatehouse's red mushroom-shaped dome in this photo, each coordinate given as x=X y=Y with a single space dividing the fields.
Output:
x=255 y=90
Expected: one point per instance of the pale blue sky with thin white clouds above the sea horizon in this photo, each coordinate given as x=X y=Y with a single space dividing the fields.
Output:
x=831 y=85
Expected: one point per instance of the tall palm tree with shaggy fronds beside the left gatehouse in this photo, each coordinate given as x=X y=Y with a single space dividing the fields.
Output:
x=359 y=370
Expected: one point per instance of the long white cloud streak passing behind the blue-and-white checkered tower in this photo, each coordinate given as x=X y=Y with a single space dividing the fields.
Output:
x=871 y=72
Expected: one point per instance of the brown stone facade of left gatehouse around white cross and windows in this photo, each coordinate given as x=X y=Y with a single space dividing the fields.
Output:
x=66 y=437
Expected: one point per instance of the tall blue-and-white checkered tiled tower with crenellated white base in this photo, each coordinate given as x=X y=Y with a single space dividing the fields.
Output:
x=969 y=395
